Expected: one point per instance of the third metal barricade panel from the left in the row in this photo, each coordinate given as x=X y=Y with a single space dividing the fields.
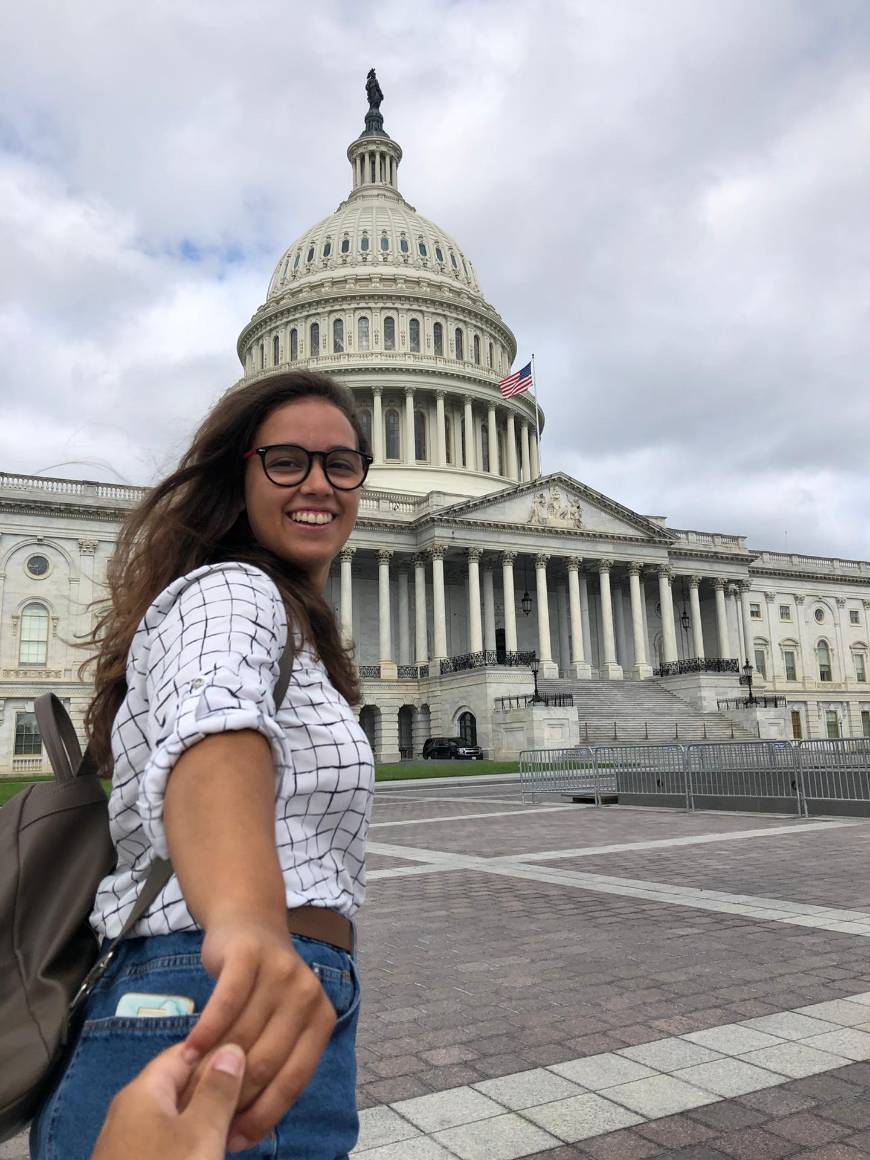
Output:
x=748 y=771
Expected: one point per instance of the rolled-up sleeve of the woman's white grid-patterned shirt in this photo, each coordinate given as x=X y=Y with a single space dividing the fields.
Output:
x=212 y=669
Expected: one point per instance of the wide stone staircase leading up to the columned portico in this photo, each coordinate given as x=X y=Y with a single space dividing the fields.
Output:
x=636 y=712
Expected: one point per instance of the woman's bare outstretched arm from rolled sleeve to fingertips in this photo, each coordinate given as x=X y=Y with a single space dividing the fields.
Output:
x=220 y=817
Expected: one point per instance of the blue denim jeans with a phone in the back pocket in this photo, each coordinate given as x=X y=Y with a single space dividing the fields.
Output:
x=110 y=1053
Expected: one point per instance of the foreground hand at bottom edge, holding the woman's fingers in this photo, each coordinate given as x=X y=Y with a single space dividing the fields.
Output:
x=144 y=1120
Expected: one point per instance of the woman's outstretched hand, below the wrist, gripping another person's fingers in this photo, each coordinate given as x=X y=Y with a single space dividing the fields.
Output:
x=270 y=1002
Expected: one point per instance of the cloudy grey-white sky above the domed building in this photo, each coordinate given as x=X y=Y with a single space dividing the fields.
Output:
x=669 y=202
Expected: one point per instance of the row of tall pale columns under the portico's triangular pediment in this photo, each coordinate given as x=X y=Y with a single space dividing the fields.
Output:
x=613 y=629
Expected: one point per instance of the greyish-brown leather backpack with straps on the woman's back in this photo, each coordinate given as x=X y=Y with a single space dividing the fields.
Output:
x=55 y=851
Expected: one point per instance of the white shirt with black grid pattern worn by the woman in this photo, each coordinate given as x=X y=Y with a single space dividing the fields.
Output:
x=206 y=661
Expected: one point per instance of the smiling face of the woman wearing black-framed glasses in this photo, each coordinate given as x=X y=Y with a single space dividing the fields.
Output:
x=277 y=514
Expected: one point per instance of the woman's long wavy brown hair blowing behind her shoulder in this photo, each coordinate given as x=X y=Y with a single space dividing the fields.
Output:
x=197 y=517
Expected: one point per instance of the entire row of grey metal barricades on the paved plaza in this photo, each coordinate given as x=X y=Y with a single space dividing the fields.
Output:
x=784 y=774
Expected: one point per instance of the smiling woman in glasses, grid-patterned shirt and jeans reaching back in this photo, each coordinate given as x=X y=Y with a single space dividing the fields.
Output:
x=263 y=809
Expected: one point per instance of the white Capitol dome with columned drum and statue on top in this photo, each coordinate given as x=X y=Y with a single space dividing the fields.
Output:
x=387 y=301
